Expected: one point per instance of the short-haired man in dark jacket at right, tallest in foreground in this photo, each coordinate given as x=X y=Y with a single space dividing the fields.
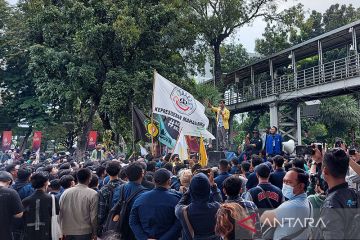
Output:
x=339 y=223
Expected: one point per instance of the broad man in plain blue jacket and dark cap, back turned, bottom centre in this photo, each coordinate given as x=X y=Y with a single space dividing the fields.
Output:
x=153 y=213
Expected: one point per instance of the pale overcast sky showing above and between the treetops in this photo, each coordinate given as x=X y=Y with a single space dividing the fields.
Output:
x=248 y=34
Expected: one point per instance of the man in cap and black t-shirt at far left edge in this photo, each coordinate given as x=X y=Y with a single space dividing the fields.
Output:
x=10 y=205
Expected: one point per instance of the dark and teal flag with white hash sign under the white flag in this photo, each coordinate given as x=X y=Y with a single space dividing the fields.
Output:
x=168 y=131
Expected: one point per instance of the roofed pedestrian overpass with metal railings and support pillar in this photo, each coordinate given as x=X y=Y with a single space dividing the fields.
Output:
x=297 y=74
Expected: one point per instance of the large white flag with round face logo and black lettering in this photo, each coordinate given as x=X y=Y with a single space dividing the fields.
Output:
x=173 y=101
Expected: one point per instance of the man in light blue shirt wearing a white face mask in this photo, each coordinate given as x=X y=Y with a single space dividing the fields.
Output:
x=296 y=209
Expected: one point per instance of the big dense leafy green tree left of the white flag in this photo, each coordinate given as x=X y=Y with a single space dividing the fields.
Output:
x=98 y=56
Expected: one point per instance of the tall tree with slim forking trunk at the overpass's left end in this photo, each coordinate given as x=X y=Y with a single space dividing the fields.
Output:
x=216 y=20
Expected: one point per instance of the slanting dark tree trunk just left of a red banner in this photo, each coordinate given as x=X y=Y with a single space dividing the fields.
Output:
x=82 y=137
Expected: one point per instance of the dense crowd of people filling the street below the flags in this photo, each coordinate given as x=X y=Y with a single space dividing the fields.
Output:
x=255 y=196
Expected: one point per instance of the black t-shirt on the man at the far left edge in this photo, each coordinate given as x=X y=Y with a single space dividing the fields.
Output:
x=10 y=205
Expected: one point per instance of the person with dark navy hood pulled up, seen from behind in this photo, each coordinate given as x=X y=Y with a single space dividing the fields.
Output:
x=195 y=207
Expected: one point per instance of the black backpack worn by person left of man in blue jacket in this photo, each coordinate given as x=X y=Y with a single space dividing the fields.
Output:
x=118 y=217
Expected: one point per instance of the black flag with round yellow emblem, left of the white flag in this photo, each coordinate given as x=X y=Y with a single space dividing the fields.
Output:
x=142 y=126
